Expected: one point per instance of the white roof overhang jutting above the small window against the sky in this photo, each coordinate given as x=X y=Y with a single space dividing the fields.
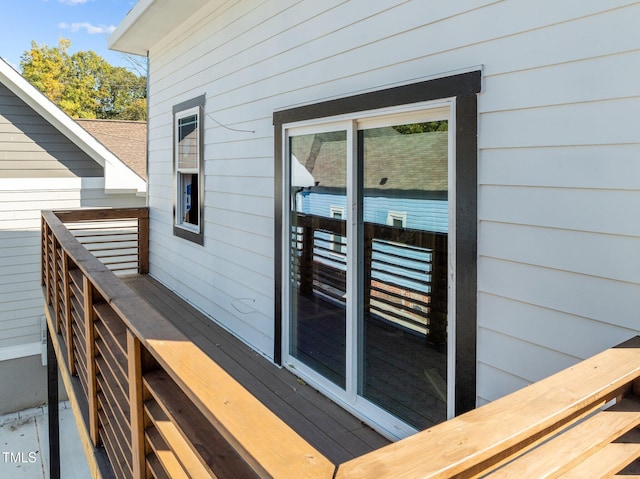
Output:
x=149 y=21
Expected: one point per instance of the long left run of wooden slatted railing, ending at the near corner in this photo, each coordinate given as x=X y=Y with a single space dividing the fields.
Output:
x=155 y=402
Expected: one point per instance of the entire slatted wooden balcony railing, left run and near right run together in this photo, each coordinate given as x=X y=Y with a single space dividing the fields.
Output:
x=161 y=408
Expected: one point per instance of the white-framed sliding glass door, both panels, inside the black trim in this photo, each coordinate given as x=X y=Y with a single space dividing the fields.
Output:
x=367 y=294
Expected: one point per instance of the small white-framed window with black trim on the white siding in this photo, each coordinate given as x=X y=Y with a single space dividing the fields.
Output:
x=188 y=170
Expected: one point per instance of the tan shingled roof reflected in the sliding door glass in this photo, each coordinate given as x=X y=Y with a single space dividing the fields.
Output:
x=394 y=162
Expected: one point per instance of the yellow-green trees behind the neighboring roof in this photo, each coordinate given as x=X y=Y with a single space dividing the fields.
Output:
x=85 y=85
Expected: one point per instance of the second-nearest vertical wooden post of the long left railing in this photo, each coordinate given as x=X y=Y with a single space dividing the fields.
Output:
x=92 y=386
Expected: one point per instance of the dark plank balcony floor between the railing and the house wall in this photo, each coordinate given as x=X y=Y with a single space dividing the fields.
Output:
x=334 y=432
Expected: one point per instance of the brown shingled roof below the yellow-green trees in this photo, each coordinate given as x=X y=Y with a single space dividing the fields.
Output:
x=125 y=139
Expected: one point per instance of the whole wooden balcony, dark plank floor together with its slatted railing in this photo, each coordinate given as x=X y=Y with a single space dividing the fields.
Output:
x=159 y=391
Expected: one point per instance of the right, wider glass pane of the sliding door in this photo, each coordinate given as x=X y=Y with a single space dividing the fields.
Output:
x=403 y=325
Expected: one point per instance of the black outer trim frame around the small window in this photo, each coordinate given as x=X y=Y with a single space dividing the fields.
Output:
x=195 y=237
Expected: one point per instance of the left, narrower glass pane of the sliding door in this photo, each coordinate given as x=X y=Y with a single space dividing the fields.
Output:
x=318 y=248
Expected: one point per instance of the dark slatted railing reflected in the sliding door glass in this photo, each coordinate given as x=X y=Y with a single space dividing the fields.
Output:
x=406 y=270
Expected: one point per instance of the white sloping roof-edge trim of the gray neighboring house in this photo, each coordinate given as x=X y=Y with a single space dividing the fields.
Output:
x=118 y=177
